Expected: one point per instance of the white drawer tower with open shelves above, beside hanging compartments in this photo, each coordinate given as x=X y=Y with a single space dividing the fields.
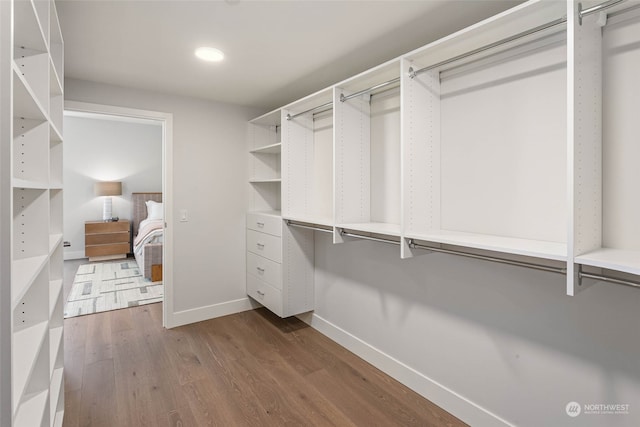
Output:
x=279 y=259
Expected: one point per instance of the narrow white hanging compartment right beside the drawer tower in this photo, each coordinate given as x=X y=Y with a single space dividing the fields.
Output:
x=307 y=159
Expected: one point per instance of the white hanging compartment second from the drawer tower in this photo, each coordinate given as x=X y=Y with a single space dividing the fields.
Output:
x=367 y=157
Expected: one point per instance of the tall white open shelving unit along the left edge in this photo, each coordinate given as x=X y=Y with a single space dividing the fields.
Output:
x=34 y=111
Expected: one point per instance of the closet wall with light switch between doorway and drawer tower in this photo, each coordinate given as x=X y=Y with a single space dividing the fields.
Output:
x=209 y=178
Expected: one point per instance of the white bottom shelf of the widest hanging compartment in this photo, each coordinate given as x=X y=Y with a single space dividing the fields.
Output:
x=510 y=245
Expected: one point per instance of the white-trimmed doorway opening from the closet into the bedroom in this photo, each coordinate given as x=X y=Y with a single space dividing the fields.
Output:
x=129 y=175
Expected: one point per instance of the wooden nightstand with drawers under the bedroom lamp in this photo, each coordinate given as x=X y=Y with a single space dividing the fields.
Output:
x=107 y=240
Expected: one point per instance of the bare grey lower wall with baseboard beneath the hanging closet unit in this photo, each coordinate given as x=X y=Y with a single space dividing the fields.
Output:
x=486 y=341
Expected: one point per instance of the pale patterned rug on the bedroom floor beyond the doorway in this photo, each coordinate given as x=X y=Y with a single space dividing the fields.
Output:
x=110 y=286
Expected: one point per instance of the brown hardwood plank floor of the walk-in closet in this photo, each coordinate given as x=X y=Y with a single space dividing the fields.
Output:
x=249 y=369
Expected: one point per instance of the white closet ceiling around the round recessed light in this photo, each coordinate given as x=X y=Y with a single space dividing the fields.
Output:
x=276 y=51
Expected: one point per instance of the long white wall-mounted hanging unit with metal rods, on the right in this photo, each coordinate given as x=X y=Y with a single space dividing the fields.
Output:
x=511 y=141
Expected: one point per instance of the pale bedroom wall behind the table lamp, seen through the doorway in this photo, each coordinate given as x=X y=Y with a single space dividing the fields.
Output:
x=105 y=150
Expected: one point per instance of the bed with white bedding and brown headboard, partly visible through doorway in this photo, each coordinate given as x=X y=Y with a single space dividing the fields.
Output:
x=148 y=226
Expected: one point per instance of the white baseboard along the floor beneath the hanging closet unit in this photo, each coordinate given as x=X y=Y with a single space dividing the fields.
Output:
x=437 y=393
